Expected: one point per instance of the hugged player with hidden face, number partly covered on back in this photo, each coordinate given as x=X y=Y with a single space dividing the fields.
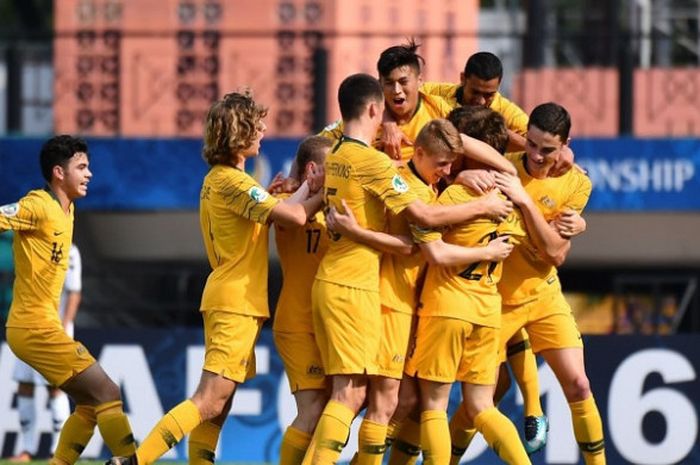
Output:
x=458 y=337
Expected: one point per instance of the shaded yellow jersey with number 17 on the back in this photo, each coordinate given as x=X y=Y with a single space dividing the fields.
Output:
x=300 y=251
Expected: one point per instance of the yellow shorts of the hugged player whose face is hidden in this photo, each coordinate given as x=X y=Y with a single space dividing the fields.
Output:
x=448 y=350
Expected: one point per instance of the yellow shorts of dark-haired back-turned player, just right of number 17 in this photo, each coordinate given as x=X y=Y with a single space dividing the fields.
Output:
x=347 y=325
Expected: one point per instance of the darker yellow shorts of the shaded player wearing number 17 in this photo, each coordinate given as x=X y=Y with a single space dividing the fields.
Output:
x=302 y=360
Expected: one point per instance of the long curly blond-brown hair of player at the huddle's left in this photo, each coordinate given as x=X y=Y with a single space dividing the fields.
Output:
x=231 y=127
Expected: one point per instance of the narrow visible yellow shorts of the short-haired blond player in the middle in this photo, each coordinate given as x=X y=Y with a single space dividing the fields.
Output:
x=393 y=346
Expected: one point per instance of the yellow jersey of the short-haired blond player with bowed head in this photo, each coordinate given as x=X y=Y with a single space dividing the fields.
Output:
x=399 y=275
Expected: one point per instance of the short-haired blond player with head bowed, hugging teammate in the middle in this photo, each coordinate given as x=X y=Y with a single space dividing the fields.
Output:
x=438 y=144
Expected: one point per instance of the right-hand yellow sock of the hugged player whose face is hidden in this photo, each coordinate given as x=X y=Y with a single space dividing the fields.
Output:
x=502 y=437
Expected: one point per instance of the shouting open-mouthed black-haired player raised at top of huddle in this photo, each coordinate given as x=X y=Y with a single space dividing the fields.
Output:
x=407 y=109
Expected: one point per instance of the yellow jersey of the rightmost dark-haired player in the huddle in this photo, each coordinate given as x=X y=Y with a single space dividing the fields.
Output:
x=526 y=276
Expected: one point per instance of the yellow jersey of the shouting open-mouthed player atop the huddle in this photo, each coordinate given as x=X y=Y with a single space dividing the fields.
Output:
x=429 y=108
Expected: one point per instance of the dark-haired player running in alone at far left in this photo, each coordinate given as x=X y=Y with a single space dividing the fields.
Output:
x=43 y=225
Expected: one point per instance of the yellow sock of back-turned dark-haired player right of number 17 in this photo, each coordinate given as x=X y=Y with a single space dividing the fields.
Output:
x=332 y=433
